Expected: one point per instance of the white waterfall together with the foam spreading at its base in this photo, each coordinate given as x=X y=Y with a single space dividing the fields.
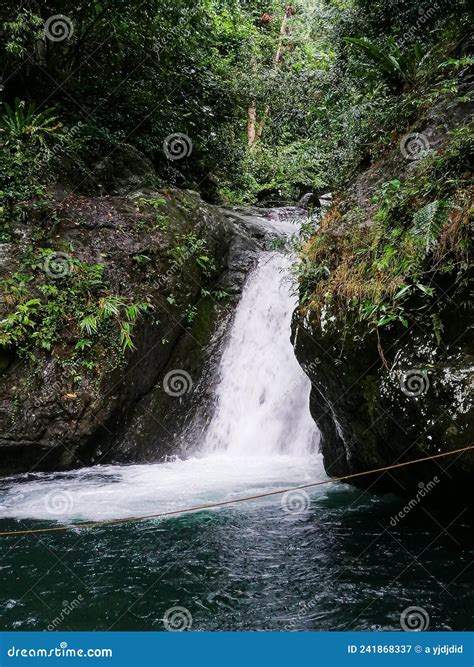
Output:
x=261 y=436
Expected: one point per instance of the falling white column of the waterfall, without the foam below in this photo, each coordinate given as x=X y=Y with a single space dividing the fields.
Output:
x=262 y=396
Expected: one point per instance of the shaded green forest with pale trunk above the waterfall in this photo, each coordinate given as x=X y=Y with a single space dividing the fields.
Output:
x=276 y=99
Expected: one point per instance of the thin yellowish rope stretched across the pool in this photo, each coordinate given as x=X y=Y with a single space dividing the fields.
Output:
x=234 y=501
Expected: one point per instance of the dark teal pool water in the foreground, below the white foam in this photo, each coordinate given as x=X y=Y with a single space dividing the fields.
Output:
x=339 y=565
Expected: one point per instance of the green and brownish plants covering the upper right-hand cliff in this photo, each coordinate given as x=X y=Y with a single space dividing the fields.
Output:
x=385 y=265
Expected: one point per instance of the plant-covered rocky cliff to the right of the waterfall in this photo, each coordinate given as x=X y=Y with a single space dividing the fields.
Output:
x=384 y=329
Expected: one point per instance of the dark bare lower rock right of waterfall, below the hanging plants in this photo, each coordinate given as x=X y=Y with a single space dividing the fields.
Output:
x=372 y=416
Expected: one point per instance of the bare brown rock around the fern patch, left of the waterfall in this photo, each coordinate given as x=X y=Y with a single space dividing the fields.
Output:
x=47 y=421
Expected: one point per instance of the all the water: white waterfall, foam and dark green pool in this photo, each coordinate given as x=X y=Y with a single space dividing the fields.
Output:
x=329 y=559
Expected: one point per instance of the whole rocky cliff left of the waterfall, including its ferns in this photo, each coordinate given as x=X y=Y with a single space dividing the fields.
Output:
x=113 y=309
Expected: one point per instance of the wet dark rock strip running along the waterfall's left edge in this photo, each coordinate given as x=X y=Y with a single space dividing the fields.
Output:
x=166 y=424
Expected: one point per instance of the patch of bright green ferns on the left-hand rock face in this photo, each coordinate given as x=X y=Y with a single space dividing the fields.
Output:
x=74 y=304
